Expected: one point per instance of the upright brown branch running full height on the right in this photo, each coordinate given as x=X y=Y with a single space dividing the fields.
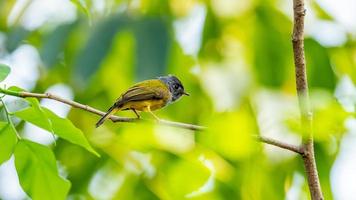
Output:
x=303 y=97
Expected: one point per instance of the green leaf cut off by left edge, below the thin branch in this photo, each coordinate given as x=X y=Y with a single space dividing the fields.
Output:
x=8 y=141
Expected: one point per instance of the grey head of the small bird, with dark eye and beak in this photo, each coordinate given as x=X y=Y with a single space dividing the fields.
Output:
x=175 y=86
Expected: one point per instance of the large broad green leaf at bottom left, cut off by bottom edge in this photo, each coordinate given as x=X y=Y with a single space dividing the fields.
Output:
x=38 y=173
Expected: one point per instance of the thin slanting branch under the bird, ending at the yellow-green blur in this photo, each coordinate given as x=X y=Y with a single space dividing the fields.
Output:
x=96 y=111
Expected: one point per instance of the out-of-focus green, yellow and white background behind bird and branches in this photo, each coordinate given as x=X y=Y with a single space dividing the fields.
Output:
x=234 y=58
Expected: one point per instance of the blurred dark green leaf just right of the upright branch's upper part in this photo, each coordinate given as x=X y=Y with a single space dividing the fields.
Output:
x=319 y=69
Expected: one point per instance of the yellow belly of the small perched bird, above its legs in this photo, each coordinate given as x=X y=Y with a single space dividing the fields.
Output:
x=143 y=105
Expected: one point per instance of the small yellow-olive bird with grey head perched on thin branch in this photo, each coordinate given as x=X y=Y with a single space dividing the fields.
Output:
x=147 y=96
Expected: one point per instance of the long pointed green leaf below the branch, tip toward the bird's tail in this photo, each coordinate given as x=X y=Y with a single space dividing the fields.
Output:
x=61 y=127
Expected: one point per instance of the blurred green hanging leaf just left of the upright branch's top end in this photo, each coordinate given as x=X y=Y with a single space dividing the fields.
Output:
x=271 y=46
